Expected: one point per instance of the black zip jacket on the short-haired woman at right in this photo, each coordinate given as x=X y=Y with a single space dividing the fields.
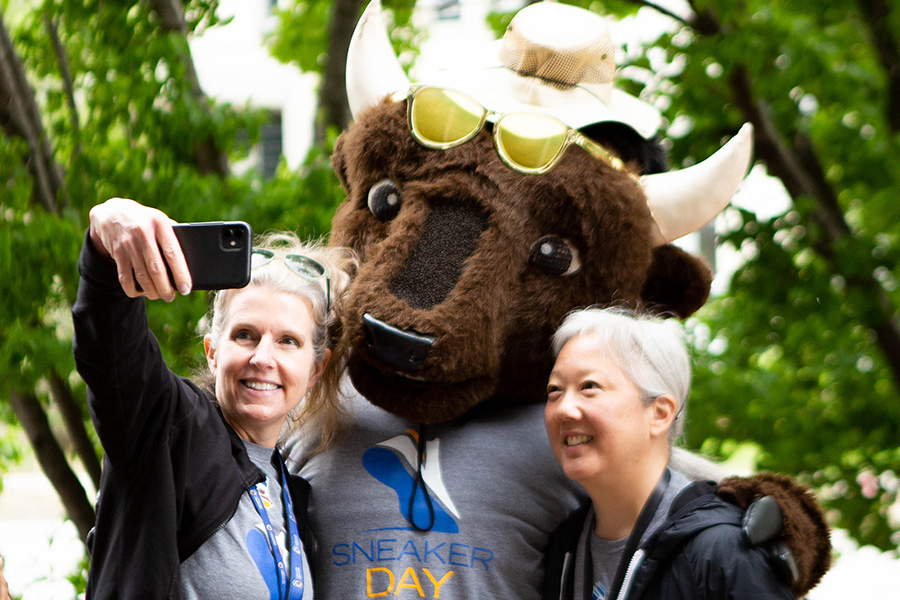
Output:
x=698 y=553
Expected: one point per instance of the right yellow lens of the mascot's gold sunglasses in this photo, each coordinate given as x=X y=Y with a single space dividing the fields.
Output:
x=528 y=141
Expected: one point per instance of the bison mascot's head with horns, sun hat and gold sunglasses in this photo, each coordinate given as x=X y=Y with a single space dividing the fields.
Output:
x=488 y=203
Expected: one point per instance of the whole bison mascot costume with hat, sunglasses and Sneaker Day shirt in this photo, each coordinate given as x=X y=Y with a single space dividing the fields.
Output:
x=484 y=206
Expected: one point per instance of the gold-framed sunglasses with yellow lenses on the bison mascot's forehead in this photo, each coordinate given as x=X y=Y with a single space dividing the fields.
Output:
x=441 y=118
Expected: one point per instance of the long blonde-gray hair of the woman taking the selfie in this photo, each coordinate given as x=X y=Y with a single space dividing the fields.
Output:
x=321 y=403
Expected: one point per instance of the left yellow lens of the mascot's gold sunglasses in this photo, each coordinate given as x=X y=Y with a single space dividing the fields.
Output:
x=444 y=117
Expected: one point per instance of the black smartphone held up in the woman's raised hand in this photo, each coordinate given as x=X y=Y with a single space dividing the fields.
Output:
x=217 y=253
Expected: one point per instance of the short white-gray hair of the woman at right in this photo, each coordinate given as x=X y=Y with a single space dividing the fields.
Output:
x=649 y=350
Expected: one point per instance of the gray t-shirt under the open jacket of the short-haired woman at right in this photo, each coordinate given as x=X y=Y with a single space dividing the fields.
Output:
x=606 y=554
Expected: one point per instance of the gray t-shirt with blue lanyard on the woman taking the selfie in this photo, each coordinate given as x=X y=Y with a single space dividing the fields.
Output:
x=243 y=545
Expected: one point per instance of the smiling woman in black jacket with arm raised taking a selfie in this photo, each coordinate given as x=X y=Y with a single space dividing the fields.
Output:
x=195 y=501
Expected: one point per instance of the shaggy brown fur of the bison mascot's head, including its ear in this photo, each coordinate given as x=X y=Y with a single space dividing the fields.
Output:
x=495 y=324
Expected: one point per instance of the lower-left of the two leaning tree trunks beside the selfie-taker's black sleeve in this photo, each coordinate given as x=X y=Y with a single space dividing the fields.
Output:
x=53 y=461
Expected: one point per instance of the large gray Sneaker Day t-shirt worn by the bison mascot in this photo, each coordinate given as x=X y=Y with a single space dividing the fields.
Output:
x=496 y=493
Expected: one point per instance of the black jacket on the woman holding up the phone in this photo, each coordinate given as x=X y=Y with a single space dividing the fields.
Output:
x=174 y=471
